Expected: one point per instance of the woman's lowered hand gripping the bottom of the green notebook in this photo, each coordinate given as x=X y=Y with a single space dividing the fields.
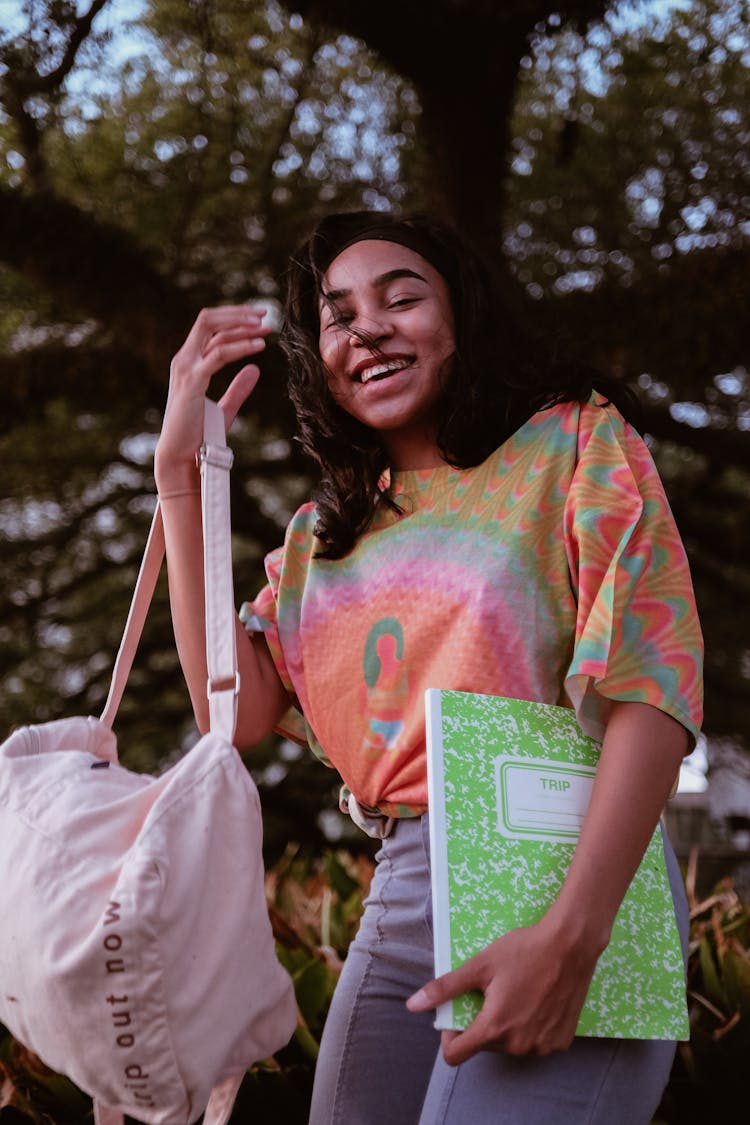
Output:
x=535 y=984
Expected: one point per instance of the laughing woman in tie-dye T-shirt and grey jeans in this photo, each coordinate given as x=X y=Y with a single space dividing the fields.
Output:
x=475 y=528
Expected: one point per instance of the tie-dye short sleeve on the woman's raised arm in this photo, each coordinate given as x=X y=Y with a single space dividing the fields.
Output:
x=263 y=616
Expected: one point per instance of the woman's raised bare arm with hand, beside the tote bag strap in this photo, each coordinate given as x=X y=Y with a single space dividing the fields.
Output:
x=219 y=337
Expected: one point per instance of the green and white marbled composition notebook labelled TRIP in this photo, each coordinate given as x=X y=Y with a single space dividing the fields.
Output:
x=509 y=785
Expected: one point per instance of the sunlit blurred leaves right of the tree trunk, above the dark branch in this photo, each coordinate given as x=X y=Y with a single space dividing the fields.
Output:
x=659 y=110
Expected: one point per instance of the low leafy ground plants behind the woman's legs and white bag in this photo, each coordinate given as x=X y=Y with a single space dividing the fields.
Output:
x=315 y=905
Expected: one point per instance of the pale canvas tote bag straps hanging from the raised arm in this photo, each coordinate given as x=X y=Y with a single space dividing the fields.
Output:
x=221 y=642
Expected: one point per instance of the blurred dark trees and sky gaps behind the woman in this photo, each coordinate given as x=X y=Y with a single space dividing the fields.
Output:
x=159 y=156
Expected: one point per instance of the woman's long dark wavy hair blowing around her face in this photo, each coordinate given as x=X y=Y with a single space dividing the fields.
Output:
x=490 y=389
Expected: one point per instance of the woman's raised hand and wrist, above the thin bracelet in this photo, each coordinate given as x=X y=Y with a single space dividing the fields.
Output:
x=220 y=337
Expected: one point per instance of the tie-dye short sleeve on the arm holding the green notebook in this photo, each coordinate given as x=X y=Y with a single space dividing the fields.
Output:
x=638 y=636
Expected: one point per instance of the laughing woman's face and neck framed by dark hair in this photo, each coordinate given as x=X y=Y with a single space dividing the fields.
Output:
x=391 y=381
